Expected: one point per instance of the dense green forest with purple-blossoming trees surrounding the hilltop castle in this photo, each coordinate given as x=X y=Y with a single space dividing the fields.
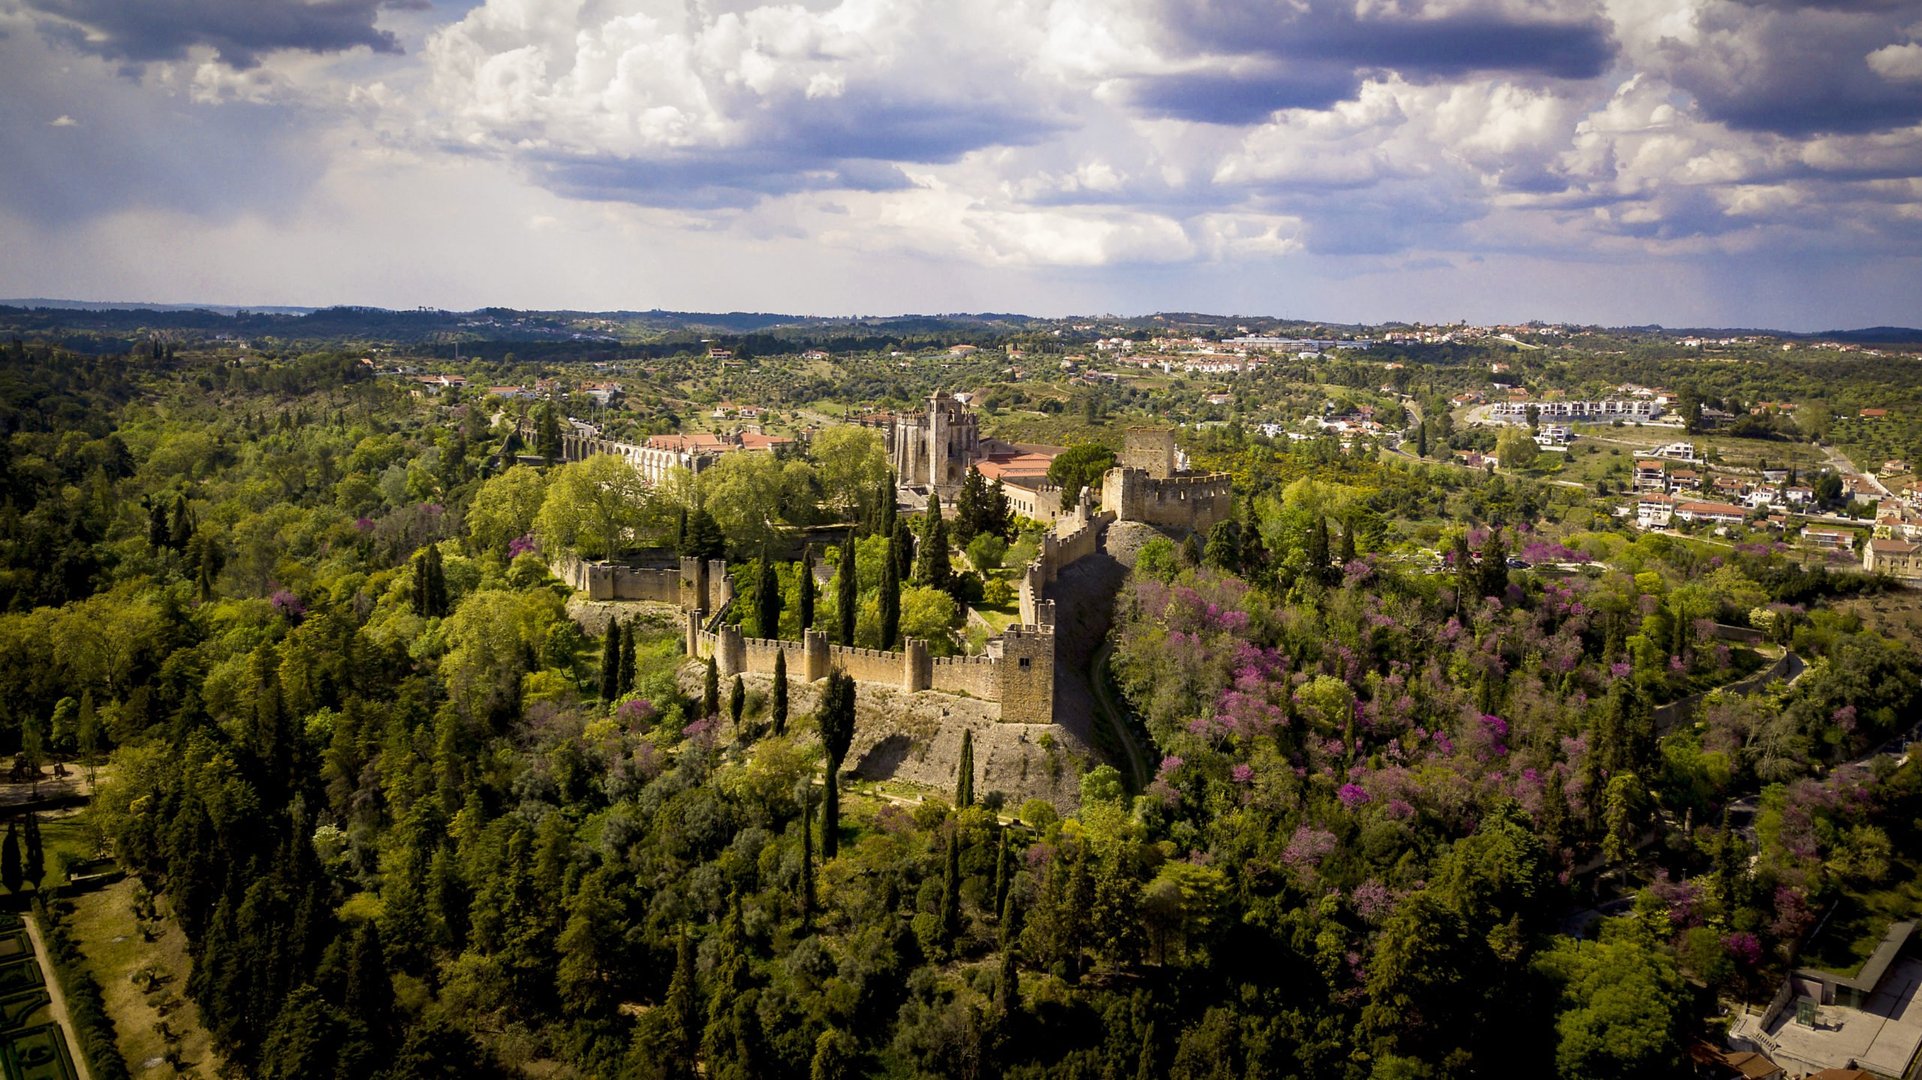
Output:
x=418 y=822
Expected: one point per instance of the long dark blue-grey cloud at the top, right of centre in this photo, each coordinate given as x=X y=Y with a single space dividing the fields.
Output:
x=1268 y=61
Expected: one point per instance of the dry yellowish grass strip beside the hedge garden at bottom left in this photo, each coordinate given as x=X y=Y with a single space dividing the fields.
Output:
x=103 y=921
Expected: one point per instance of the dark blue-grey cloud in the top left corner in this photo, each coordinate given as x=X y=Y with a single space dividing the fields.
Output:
x=143 y=32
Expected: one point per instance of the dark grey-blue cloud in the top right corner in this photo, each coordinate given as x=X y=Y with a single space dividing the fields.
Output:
x=1796 y=70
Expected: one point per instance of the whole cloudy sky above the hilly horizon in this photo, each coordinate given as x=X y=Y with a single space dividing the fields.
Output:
x=1623 y=162
